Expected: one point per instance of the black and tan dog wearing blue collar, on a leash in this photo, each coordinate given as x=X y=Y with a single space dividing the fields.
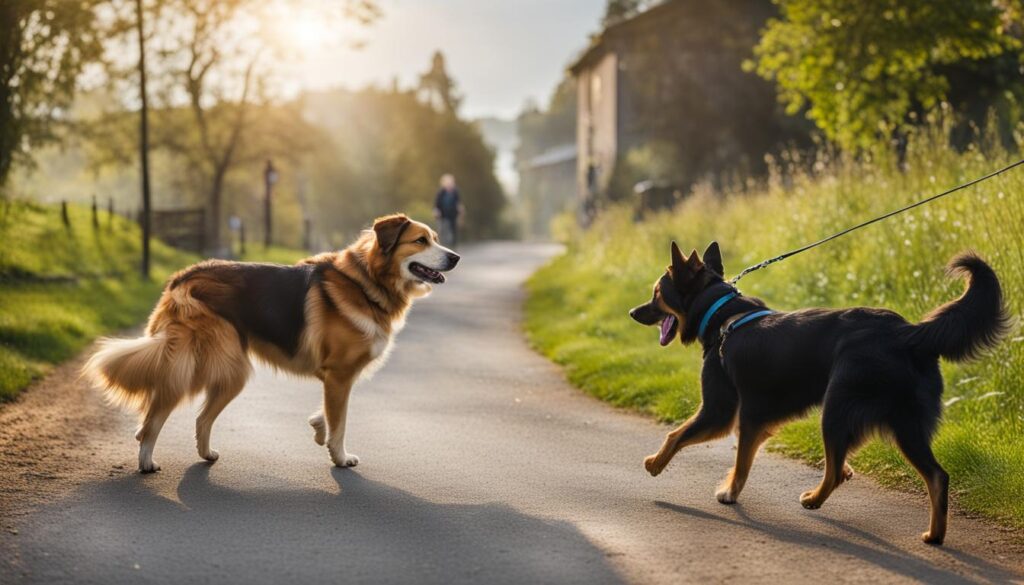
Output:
x=871 y=370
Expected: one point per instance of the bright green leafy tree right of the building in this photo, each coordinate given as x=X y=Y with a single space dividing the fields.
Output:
x=863 y=75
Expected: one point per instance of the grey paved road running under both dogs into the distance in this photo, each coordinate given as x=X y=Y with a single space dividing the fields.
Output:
x=480 y=465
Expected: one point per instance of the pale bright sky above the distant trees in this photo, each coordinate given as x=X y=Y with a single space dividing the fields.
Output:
x=500 y=53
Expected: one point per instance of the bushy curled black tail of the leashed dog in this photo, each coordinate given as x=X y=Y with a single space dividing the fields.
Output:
x=962 y=329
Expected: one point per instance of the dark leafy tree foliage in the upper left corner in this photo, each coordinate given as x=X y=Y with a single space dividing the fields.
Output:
x=45 y=47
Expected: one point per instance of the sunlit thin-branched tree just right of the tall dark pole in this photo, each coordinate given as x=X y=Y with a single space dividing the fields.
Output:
x=217 y=61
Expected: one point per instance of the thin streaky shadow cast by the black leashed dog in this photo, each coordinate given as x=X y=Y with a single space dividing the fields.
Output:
x=863 y=546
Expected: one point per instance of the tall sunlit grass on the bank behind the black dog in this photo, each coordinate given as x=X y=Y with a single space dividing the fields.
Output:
x=577 y=310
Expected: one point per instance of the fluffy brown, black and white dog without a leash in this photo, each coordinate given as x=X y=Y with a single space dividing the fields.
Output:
x=332 y=317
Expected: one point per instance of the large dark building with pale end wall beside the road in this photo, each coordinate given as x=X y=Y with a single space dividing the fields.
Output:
x=673 y=77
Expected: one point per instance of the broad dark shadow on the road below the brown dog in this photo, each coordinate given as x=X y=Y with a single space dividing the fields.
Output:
x=278 y=532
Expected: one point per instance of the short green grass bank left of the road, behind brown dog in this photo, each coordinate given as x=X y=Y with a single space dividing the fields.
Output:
x=61 y=288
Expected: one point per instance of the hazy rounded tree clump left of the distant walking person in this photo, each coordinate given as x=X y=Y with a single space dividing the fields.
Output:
x=385 y=151
